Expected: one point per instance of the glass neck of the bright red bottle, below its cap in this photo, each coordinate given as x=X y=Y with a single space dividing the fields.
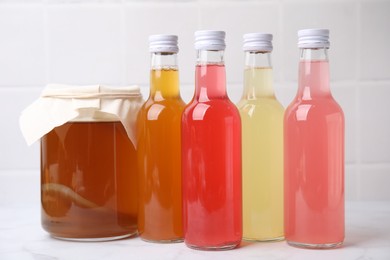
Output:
x=210 y=75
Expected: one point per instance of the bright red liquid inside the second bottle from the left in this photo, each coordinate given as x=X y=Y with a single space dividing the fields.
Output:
x=211 y=164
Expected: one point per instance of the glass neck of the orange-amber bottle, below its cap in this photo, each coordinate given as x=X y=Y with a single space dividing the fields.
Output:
x=164 y=76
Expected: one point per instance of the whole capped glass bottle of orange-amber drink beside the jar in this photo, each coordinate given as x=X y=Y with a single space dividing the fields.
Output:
x=159 y=147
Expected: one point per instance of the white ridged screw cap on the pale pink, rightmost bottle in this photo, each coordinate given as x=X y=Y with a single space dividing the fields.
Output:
x=313 y=38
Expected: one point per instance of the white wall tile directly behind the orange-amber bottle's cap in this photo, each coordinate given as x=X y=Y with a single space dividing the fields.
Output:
x=143 y=19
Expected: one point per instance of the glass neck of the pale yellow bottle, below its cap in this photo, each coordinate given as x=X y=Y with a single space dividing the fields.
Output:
x=258 y=75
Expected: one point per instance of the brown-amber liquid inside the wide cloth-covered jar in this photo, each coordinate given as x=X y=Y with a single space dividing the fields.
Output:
x=88 y=181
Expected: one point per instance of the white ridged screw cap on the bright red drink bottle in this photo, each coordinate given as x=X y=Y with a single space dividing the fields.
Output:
x=210 y=40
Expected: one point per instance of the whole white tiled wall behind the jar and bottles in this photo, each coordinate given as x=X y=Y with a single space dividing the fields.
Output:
x=105 y=41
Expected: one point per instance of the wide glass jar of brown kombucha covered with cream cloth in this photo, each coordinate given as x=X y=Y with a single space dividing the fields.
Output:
x=89 y=166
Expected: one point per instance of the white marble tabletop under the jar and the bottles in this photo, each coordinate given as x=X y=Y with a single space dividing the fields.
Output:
x=21 y=235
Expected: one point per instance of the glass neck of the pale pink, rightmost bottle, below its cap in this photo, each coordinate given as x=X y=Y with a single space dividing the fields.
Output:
x=313 y=74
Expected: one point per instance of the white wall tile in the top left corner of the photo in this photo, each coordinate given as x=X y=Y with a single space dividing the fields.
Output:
x=22 y=53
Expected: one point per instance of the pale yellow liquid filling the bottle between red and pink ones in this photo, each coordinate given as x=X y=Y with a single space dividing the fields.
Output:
x=262 y=157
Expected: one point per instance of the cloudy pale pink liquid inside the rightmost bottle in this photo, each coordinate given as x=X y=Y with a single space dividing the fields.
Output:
x=314 y=161
